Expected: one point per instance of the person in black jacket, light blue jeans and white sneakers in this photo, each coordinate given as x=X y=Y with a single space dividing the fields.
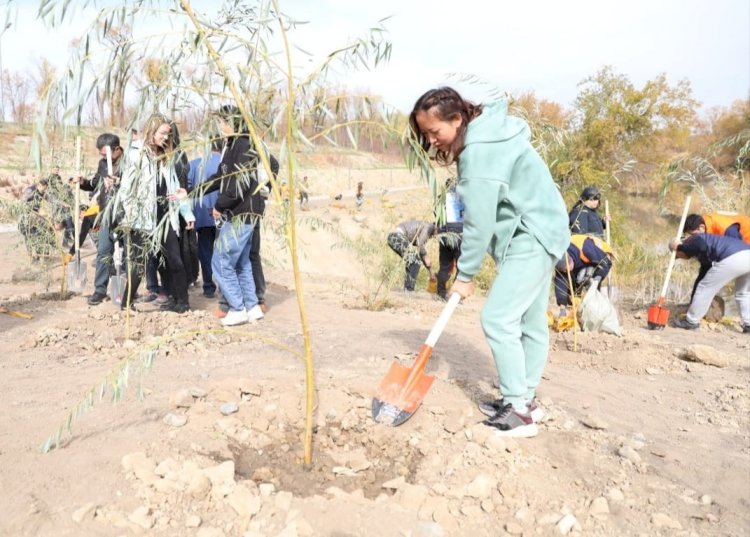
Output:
x=237 y=211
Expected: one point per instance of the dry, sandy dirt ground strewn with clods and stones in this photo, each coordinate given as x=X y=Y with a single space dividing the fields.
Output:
x=636 y=440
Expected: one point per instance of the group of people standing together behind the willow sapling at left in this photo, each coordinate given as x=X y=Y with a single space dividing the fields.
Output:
x=172 y=215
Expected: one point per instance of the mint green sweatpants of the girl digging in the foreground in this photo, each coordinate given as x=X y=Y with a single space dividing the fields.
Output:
x=514 y=318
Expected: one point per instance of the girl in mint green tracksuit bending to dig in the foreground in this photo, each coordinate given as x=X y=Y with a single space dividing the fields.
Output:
x=514 y=211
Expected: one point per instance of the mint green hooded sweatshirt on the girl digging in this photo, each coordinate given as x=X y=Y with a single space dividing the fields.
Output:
x=505 y=186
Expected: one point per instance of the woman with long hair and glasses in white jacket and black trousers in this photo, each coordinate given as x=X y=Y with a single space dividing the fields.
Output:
x=148 y=198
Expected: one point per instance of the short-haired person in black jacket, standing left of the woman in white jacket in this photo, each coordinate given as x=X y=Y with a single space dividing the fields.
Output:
x=105 y=186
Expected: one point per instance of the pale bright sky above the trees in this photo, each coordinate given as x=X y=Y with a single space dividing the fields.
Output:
x=545 y=46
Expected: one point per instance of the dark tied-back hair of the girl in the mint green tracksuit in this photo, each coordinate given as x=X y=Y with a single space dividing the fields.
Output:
x=445 y=104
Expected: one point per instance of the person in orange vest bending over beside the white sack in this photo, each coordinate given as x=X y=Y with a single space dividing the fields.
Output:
x=588 y=259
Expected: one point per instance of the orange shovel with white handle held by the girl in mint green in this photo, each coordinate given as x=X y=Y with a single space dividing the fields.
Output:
x=402 y=390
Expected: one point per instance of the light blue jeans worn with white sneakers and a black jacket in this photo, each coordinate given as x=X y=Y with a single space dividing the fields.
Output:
x=231 y=265
